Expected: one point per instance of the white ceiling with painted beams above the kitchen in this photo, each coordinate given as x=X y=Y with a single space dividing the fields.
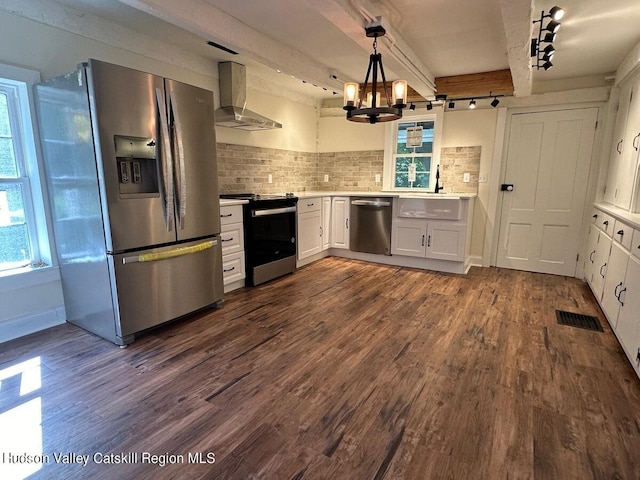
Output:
x=315 y=39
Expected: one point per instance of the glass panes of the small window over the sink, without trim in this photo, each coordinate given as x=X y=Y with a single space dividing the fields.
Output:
x=412 y=160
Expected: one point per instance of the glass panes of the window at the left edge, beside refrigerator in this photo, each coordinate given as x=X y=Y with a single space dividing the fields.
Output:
x=18 y=245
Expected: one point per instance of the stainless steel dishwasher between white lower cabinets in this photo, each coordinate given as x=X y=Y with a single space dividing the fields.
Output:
x=370 y=219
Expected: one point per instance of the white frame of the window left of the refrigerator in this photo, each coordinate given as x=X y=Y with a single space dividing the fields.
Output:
x=18 y=83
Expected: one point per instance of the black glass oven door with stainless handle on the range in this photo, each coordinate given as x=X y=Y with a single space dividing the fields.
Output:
x=271 y=234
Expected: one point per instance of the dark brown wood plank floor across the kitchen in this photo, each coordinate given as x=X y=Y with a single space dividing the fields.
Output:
x=345 y=370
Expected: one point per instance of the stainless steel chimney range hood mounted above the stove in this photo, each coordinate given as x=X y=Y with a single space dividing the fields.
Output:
x=233 y=100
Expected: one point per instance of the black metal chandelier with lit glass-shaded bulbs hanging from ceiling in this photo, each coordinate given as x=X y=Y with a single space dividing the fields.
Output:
x=371 y=110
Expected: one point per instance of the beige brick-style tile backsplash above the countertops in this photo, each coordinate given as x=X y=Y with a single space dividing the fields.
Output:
x=247 y=169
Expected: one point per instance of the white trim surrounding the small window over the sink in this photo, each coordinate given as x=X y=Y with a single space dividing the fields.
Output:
x=391 y=132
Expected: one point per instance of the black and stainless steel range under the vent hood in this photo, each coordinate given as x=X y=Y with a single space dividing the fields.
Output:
x=269 y=235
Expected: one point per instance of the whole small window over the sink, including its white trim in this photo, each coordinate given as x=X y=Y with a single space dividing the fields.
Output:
x=412 y=153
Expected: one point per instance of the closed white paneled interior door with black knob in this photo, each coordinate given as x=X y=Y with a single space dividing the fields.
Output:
x=548 y=158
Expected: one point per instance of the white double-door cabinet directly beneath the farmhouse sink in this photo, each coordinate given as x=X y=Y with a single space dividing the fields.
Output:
x=444 y=240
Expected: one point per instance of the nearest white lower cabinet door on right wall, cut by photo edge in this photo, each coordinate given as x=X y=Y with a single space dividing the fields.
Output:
x=628 y=328
